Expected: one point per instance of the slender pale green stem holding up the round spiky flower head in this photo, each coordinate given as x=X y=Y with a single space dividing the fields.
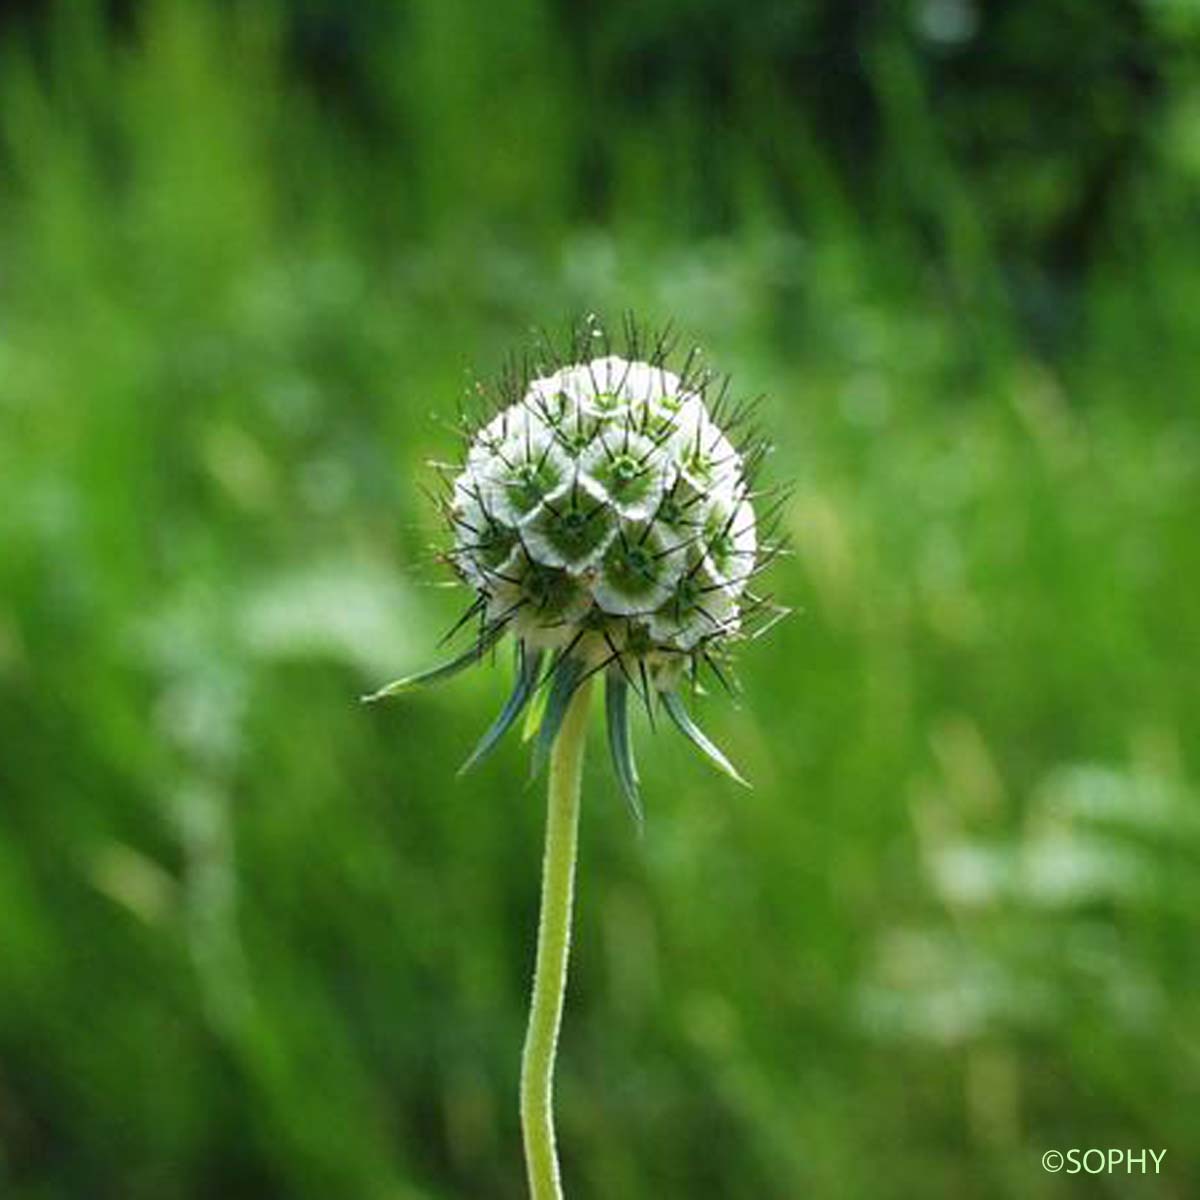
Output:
x=554 y=946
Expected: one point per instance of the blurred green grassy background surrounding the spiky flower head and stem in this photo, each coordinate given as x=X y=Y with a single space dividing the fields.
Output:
x=256 y=940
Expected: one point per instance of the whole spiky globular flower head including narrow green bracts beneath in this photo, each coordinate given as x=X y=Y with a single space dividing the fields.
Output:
x=605 y=517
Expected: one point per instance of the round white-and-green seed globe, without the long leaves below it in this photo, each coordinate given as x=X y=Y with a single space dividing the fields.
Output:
x=614 y=471
